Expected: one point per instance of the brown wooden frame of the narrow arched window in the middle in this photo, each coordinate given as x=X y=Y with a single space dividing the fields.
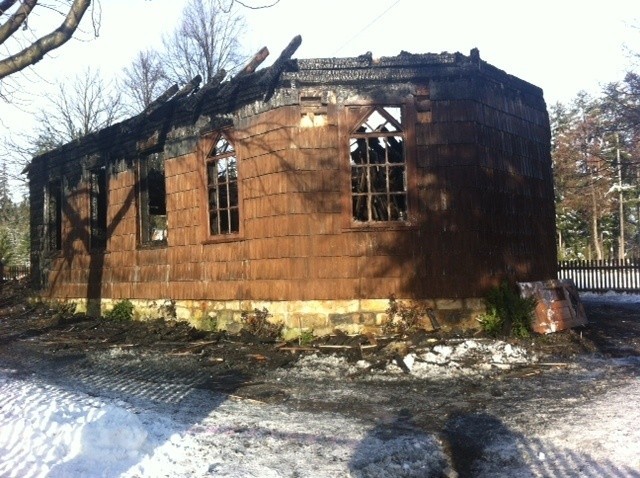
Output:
x=207 y=148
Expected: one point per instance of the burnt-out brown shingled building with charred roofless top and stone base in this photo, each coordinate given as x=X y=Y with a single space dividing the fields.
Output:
x=316 y=188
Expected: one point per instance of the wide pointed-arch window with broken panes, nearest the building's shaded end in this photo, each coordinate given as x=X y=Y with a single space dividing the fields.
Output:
x=378 y=167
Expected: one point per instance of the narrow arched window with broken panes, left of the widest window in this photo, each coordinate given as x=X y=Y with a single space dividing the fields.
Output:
x=222 y=188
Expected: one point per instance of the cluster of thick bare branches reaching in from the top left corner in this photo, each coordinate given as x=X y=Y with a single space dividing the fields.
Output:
x=21 y=46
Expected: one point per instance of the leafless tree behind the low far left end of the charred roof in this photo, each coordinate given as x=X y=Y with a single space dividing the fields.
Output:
x=80 y=107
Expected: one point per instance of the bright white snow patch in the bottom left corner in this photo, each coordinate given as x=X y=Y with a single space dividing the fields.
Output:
x=64 y=436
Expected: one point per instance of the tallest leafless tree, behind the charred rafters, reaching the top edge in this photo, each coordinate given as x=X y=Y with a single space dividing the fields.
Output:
x=206 y=41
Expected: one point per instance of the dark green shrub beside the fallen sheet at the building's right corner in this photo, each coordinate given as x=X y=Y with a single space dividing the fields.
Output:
x=507 y=312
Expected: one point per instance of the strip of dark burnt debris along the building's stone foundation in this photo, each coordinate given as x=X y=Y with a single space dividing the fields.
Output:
x=611 y=332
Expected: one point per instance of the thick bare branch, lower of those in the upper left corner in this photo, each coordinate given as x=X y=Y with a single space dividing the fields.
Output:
x=36 y=51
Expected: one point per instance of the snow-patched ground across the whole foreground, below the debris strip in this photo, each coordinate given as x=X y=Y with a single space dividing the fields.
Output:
x=122 y=414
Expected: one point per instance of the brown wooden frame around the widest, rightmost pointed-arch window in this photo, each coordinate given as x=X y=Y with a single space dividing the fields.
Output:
x=354 y=117
